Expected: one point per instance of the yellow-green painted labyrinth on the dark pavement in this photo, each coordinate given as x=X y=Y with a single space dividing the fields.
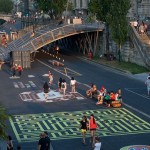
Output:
x=65 y=125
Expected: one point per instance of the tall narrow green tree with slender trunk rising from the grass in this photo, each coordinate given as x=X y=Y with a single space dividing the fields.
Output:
x=118 y=22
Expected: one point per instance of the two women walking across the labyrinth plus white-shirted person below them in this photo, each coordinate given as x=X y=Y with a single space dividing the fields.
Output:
x=92 y=126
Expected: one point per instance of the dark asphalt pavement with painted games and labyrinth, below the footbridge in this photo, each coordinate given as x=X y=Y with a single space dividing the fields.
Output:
x=129 y=125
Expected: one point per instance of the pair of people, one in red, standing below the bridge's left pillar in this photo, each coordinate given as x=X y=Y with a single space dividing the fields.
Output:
x=17 y=68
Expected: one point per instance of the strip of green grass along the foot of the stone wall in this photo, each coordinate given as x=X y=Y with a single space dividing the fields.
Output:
x=127 y=66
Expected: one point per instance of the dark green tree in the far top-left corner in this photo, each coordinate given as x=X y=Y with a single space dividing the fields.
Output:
x=3 y=4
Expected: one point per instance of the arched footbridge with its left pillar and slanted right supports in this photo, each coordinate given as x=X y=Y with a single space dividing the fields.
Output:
x=29 y=43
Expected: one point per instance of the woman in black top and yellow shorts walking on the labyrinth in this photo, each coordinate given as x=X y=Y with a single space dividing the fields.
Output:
x=84 y=128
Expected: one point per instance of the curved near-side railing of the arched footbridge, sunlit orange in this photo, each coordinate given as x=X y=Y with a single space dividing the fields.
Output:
x=61 y=32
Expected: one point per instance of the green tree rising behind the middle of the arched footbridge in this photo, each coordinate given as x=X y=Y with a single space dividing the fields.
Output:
x=53 y=7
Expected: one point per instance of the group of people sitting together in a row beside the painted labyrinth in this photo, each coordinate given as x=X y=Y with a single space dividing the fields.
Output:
x=103 y=96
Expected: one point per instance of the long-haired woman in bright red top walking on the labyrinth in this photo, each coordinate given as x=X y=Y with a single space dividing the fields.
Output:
x=92 y=128
